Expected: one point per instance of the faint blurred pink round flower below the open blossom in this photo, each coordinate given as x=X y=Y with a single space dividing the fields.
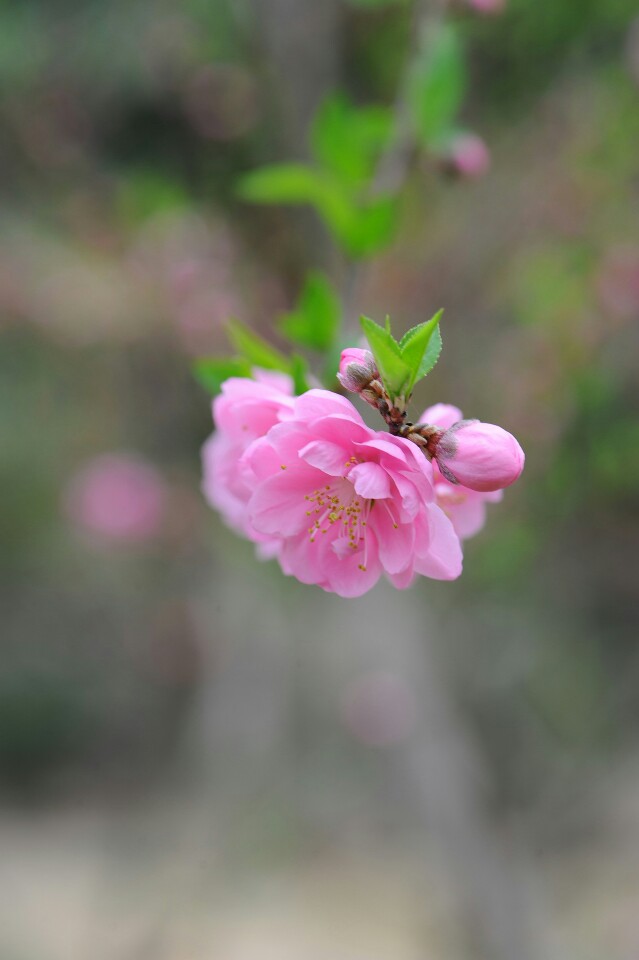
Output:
x=378 y=709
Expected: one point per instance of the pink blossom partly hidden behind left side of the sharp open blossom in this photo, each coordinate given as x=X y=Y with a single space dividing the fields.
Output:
x=244 y=411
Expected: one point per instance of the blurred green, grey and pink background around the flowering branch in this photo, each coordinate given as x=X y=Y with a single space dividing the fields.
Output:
x=199 y=758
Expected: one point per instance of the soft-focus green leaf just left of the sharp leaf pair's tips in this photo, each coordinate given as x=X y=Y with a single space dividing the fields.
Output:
x=315 y=321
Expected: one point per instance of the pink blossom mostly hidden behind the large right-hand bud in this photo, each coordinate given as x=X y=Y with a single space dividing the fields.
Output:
x=466 y=508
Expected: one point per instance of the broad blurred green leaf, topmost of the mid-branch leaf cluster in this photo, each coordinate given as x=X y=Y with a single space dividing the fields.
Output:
x=348 y=140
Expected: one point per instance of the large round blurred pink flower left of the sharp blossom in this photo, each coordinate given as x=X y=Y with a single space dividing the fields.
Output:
x=117 y=497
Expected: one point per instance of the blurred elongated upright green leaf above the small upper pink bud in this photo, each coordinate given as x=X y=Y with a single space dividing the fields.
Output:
x=437 y=84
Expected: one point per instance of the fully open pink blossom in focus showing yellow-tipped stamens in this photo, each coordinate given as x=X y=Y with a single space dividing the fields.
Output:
x=346 y=502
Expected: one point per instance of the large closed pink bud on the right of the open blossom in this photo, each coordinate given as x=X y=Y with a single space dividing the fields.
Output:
x=480 y=456
